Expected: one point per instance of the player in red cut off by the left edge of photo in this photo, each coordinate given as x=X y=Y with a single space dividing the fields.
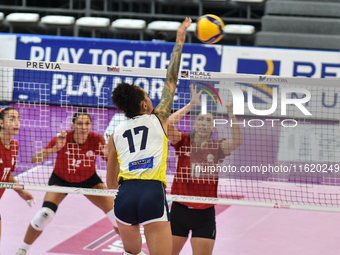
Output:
x=9 y=126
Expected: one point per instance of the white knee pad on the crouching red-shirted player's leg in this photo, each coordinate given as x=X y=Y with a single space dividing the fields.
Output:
x=44 y=216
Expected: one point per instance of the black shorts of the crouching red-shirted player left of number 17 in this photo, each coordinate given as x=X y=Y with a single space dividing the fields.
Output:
x=89 y=183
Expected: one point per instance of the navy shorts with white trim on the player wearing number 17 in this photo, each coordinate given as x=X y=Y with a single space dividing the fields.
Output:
x=141 y=202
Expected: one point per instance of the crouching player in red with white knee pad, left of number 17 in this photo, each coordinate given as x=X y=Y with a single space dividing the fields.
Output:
x=77 y=152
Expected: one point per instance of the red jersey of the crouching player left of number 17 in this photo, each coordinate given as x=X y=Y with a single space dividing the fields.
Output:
x=76 y=162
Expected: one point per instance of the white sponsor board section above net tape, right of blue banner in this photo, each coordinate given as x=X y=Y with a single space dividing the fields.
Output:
x=281 y=62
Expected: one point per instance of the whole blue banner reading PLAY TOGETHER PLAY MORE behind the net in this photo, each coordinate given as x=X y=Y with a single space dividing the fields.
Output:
x=94 y=89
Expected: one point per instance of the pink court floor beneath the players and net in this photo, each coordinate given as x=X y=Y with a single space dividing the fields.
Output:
x=81 y=228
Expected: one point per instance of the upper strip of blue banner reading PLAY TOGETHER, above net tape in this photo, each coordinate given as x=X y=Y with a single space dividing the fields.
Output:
x=113 y=52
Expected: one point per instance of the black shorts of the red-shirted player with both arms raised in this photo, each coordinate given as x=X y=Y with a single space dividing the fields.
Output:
x=201 y=222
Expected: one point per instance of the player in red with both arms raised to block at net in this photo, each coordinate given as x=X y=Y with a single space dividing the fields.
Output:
x=195 y=153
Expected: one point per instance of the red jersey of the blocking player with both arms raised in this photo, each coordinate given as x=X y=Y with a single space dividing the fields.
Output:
x=196 y=172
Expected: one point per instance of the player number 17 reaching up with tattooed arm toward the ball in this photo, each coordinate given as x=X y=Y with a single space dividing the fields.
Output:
x=140 y=146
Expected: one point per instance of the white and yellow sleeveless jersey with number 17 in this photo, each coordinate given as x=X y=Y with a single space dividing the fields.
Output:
x=142 y=148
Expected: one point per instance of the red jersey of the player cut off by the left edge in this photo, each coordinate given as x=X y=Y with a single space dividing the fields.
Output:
x=8 y=159
